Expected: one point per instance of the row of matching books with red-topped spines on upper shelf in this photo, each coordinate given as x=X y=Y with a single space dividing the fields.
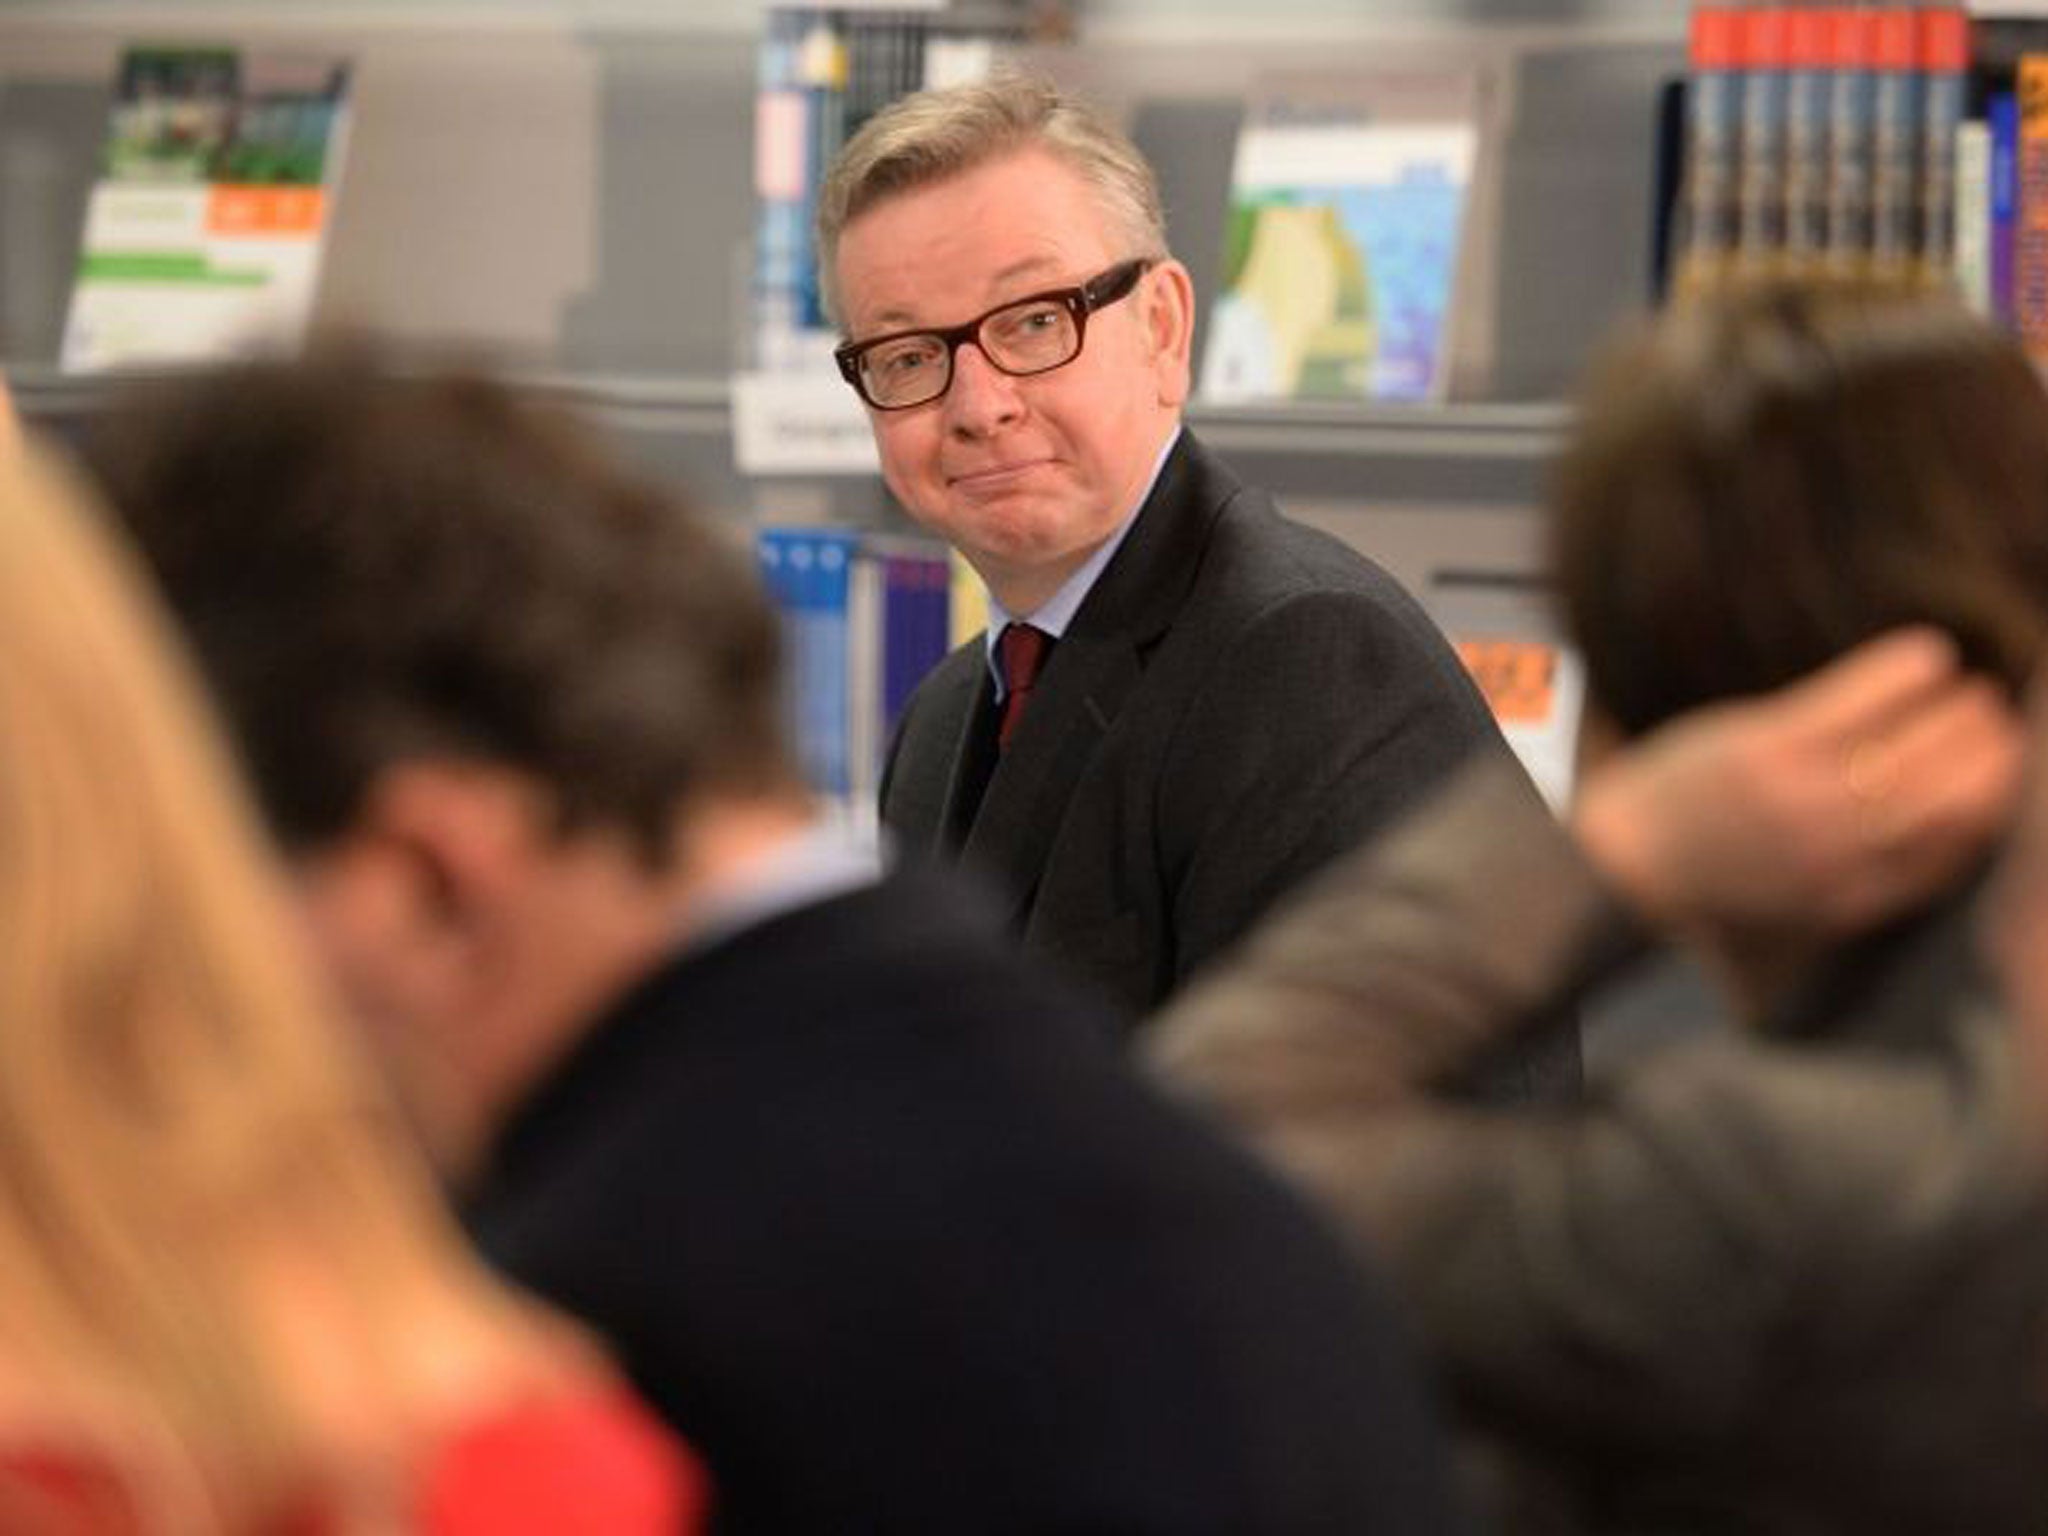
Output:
x=1822 y=138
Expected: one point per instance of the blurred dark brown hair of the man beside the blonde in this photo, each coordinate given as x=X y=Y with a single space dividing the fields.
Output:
x=380 y=568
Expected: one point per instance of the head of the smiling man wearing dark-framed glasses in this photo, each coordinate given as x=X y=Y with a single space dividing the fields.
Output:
x=1023 y=216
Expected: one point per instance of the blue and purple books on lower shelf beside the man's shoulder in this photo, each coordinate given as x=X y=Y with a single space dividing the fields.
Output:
x=863 y=617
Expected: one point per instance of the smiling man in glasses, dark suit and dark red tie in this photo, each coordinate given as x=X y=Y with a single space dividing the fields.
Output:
x=1183 y=703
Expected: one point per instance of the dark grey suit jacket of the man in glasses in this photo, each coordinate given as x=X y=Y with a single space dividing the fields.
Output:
x=1238 y=701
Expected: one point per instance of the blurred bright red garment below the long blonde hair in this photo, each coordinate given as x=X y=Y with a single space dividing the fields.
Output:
x=574 y=1465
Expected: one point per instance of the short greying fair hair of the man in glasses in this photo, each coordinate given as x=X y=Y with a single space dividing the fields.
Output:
x=941 y=134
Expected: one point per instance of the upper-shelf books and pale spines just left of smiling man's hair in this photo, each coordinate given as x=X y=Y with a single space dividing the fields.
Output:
x=822 y=75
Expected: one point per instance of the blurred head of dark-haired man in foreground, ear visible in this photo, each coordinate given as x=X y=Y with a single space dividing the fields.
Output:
x=507 y=706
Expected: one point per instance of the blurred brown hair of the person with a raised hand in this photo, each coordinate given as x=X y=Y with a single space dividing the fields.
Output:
x=1768 y=476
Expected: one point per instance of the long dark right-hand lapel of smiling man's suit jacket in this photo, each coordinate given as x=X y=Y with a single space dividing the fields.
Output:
x=1095 y=671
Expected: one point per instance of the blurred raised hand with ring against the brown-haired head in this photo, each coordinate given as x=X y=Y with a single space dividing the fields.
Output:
x=1828 y=806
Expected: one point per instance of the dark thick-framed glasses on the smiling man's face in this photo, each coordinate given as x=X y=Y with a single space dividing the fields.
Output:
x=1037 y=335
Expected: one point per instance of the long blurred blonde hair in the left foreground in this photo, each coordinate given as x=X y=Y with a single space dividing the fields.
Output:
x=171 y=1080
